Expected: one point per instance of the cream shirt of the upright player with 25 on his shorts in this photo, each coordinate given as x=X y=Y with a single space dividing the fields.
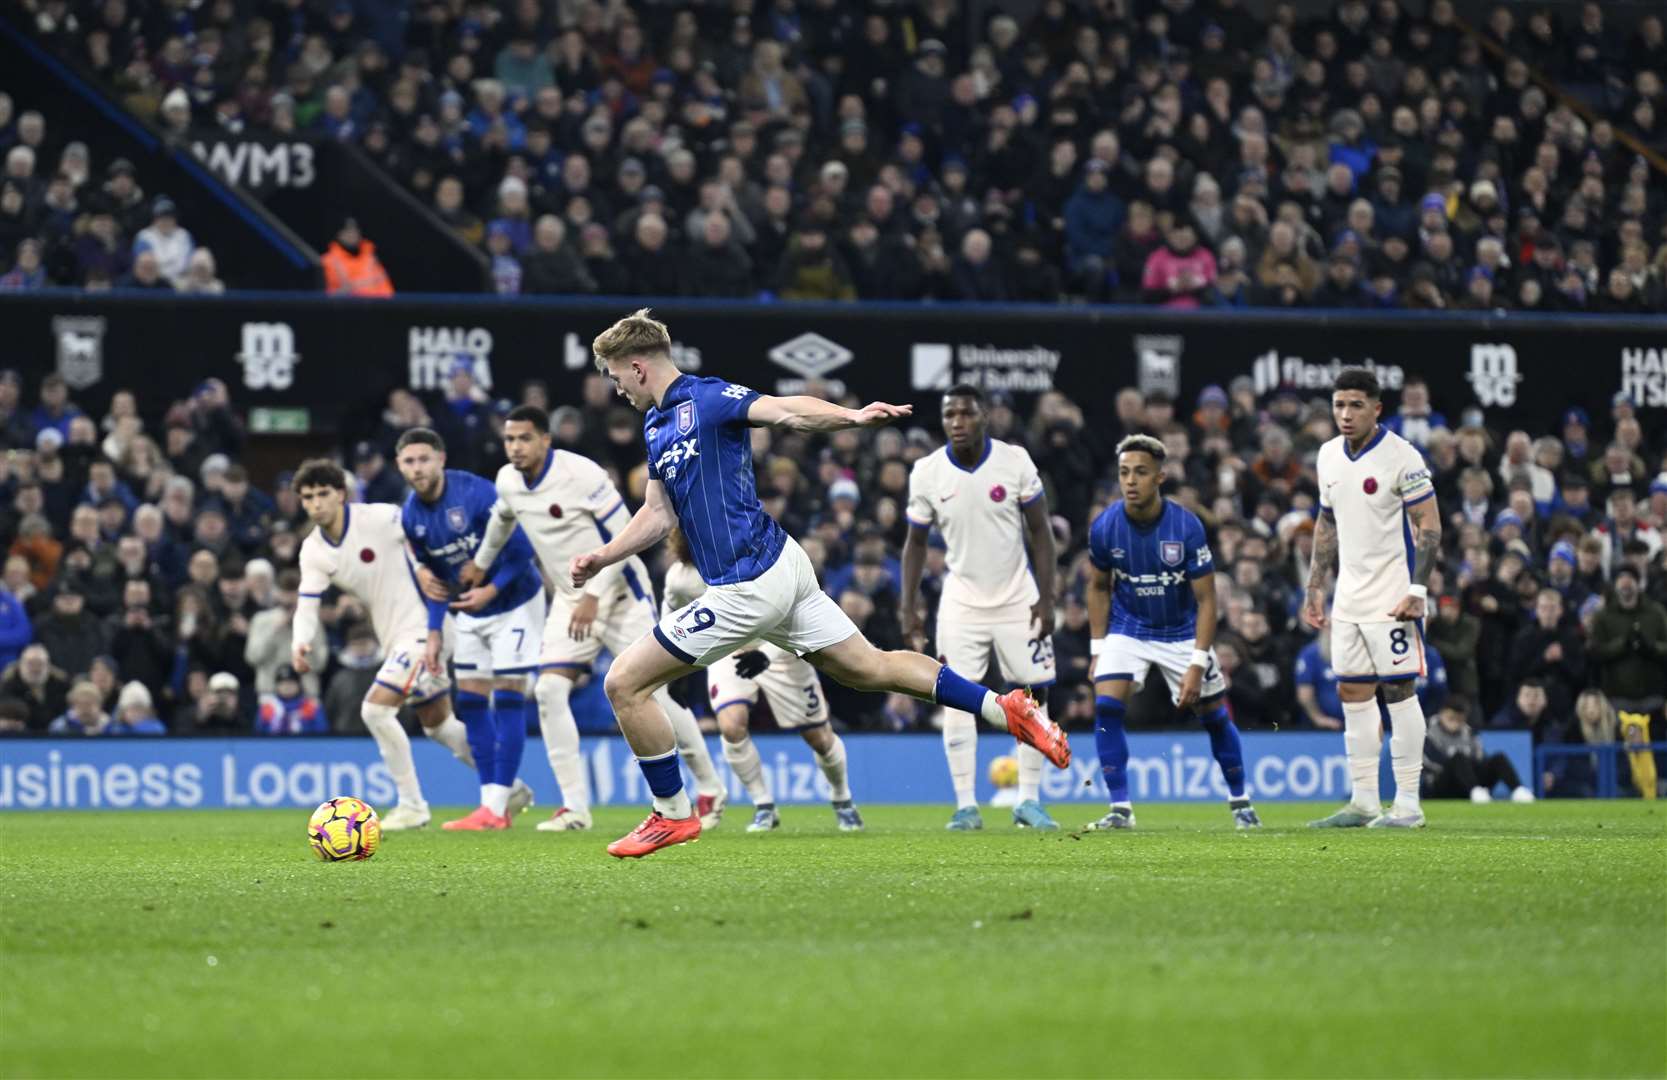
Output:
x=981 y=514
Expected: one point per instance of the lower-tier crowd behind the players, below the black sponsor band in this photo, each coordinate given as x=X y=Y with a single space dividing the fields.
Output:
x=149 y=584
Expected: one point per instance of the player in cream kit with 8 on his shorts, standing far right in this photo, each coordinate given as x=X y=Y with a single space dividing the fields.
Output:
x=1379 y=531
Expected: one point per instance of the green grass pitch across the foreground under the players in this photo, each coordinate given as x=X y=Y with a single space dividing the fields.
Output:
x=1503 y=941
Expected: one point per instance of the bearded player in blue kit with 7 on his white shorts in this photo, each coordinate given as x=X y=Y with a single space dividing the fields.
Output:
x=499 y=621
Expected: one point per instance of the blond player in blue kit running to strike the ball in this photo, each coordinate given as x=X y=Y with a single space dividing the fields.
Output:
x=759 y=581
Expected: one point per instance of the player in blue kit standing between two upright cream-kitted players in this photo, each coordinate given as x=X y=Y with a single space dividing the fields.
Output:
x=1153 y=587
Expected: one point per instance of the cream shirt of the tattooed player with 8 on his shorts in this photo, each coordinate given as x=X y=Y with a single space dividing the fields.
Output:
x=1368 y=496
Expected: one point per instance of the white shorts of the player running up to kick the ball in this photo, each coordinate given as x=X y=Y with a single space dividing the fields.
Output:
x=783 y=606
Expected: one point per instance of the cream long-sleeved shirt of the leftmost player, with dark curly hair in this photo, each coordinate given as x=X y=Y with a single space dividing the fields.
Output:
x=371 y=562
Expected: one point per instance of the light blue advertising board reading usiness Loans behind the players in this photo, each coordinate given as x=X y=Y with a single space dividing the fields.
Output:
x=61 y=774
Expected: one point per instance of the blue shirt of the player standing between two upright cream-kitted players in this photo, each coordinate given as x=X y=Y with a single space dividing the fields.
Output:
x=1153 y=571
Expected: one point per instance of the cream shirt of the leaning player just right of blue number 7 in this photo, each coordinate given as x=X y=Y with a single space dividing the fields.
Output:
x=573 y=507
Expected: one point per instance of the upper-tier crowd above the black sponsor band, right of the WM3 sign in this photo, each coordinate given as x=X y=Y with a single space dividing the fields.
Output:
x=1169 y=152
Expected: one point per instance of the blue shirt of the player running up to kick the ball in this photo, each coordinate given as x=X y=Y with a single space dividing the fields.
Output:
x=701 y=449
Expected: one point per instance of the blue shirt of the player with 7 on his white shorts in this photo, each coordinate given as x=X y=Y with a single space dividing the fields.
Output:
x=448 y=532
